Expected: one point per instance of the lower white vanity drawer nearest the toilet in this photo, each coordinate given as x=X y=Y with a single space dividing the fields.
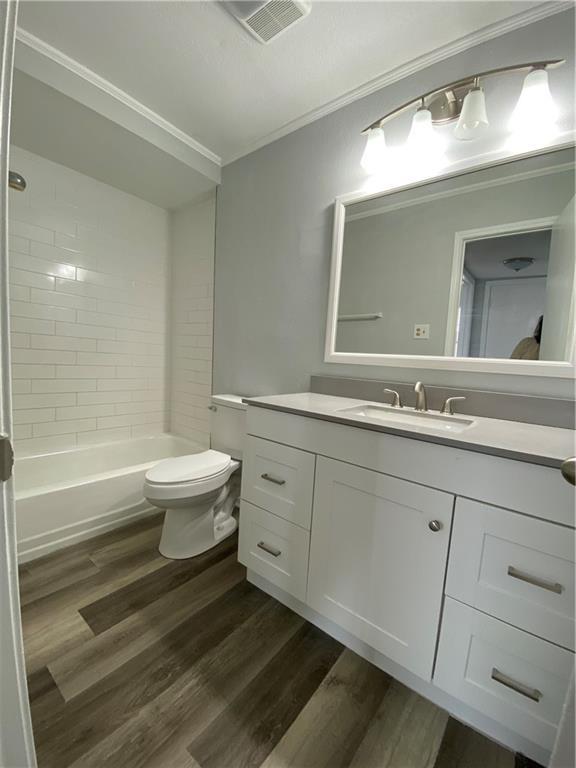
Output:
x=274 y=548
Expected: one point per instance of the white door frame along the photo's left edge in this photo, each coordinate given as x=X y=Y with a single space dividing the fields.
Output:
x=16 y=739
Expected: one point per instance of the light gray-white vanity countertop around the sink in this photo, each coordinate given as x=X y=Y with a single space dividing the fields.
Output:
x=510 y=439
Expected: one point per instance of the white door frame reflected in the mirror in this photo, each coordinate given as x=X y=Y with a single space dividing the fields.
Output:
x=461 y=239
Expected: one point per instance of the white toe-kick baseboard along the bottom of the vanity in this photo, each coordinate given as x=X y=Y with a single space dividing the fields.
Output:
x=428 y=690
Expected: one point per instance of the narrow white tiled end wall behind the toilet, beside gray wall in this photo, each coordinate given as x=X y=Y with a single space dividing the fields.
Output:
x=192 y=288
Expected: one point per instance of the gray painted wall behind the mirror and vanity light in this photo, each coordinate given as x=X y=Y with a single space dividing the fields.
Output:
x=274 y=229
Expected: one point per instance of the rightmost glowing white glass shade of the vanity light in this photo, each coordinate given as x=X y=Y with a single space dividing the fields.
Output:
x=535 y=113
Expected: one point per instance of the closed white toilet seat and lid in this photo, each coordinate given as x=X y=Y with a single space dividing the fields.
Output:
x=184 y=477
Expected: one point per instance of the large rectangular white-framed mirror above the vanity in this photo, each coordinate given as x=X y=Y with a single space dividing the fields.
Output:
x=478 y=265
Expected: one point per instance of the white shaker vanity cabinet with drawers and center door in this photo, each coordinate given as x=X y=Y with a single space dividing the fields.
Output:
x=452 y=570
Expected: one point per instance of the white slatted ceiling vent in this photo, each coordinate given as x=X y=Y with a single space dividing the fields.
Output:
x=266 y=20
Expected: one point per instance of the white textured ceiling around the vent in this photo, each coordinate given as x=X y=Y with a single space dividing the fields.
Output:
x=194 y=65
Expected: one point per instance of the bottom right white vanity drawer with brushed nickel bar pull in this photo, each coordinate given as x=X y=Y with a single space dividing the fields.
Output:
x=513 y=677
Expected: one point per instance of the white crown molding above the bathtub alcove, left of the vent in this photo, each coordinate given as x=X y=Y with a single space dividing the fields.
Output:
x=59 y=58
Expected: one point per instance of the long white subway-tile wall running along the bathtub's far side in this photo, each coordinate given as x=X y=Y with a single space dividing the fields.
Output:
x=88 y=280
